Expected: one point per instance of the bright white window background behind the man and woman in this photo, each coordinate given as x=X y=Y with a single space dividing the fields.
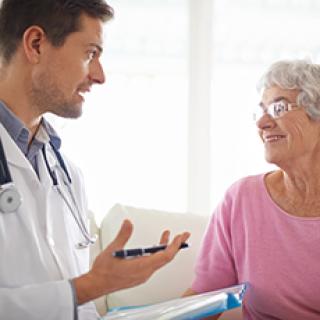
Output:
x=172 y=127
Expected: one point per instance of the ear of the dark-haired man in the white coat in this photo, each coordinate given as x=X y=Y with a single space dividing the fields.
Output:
x=33 y=39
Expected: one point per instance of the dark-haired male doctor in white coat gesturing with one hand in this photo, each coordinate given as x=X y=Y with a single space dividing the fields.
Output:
x=49 y=58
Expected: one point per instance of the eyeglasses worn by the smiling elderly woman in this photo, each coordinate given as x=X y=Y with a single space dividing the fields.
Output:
x=274 y=110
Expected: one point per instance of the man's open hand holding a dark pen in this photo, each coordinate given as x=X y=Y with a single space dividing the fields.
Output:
x=109 y=274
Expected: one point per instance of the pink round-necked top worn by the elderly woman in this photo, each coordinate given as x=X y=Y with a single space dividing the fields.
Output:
x=250 y=239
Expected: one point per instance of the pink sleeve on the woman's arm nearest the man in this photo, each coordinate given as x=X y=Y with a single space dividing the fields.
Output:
x=215 y=267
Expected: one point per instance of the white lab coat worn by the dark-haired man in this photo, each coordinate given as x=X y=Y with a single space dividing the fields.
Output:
x=37 y=244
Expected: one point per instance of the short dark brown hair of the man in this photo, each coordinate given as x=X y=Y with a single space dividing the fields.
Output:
x=58 y=18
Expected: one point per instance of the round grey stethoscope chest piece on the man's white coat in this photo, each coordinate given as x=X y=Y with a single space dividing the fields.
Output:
x=10 y=199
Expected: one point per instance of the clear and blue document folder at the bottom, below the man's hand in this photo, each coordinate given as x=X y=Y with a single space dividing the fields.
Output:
x=193 y=307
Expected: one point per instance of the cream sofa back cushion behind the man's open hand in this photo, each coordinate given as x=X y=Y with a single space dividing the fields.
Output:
x=172 y=280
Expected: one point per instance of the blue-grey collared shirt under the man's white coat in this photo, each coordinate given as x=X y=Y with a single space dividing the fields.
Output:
x=20 y=135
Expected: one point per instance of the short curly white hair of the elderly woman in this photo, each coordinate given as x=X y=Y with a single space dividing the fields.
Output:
x=302 y=75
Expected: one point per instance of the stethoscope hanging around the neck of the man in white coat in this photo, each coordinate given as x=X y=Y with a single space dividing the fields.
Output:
x=10 y=198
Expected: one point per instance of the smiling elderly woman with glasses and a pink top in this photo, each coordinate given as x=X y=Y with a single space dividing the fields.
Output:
x=266 y=231
